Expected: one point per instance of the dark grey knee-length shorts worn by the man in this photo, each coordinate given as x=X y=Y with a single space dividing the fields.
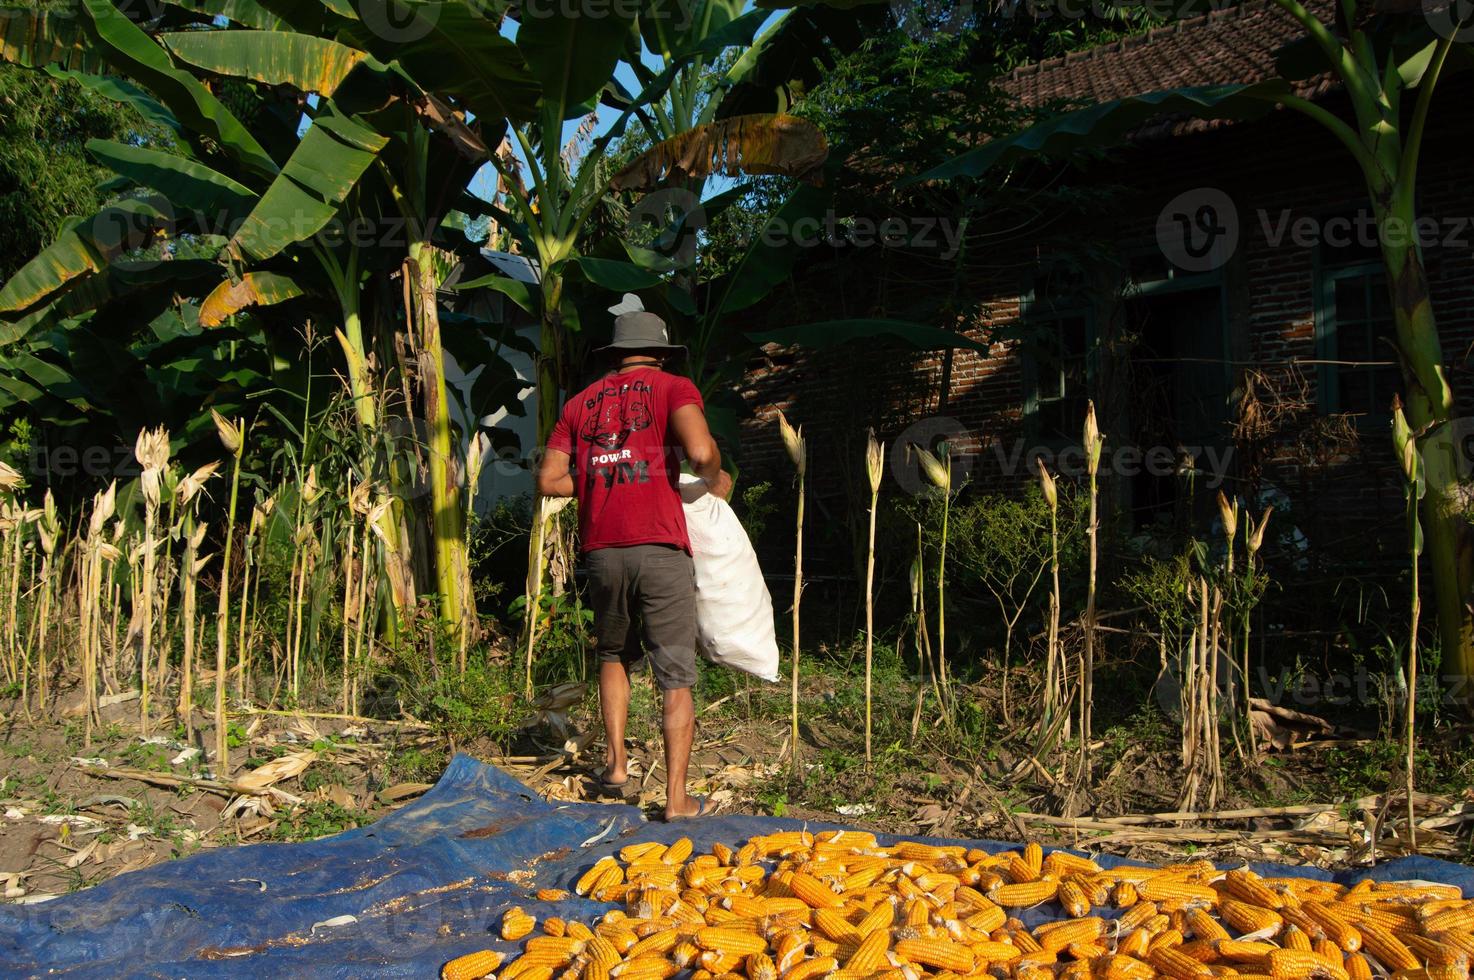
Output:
x=658 y=584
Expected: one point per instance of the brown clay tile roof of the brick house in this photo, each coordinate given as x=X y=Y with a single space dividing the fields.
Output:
x=1230 y=46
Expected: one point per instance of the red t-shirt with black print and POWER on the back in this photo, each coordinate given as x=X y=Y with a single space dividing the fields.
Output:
x=626 y=458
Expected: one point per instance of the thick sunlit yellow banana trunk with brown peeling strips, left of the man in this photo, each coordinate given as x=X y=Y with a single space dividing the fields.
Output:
x=452 y=571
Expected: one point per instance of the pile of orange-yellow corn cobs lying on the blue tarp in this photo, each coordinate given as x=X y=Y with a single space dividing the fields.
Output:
x=804 y=907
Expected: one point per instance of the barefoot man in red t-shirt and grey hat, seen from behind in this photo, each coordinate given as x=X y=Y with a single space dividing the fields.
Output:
x=618 y=447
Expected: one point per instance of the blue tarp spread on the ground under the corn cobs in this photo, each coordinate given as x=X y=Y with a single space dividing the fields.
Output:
x=424 y=885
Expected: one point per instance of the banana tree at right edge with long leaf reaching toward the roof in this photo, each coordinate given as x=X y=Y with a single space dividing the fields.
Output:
x=1389 y=67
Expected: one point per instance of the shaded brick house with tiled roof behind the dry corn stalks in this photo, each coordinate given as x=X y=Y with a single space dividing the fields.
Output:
x=1257 y=344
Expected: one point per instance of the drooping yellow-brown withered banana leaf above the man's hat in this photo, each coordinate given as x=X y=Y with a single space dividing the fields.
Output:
x=767 y=144
